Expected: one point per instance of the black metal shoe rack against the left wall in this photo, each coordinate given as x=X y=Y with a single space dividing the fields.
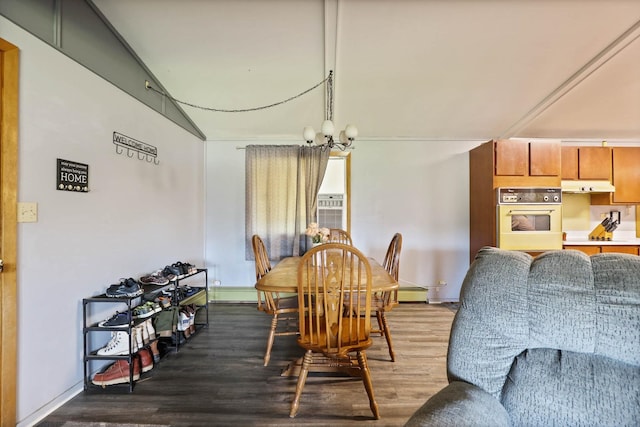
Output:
x=90 y=354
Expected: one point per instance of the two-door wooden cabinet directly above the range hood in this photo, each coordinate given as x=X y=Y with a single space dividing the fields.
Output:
x=588 y=163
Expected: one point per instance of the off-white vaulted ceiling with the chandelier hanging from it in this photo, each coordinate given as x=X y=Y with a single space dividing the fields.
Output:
x=431 y=69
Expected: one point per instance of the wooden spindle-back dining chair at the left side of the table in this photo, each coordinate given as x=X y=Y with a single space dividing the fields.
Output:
x=273 y=303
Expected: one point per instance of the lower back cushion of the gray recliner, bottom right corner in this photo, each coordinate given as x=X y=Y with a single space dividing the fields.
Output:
x=553 y=387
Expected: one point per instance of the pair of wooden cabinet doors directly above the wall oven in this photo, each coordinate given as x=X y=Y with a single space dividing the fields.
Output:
x=523 y=158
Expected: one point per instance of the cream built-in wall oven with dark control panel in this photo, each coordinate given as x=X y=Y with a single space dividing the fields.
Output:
x=529 y=219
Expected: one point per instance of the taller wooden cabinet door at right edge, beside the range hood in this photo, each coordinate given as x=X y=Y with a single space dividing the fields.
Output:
x=626 y=174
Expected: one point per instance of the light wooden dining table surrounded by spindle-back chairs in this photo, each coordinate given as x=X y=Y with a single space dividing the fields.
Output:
x=283 y=278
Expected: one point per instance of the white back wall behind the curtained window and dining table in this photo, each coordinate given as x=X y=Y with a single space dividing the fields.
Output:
x=416 y=187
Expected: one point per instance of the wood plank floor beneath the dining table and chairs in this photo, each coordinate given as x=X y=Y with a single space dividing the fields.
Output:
x=218 y=378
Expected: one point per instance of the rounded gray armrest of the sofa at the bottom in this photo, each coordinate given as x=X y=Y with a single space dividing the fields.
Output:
x=460 y=404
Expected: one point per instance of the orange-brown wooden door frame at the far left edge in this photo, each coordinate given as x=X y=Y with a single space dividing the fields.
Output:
x=8 y=229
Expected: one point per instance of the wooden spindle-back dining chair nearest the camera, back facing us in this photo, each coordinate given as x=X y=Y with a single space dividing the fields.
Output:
x=328 y=275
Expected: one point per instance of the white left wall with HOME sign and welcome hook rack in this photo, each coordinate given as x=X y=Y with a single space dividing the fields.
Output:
x=137 y=217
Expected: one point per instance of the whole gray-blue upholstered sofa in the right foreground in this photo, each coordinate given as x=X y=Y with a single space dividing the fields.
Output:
x=550 y=341
